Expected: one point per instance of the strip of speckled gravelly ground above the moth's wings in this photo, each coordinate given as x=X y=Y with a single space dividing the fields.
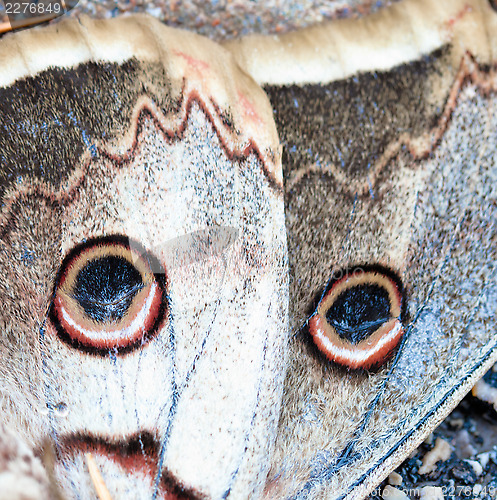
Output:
x=221 y=19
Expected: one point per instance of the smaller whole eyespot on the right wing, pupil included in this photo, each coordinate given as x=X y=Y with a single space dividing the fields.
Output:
x=358 y=322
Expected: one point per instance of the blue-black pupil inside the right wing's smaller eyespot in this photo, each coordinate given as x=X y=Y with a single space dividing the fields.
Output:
x=359 y=311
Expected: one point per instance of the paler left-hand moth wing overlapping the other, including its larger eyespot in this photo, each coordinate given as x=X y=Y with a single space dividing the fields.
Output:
x=128 y=152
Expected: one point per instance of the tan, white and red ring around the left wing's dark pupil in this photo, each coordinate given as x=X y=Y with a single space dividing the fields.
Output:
x=142 y=321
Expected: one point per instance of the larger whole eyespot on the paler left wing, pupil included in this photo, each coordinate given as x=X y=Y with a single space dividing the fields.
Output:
x=107 y=297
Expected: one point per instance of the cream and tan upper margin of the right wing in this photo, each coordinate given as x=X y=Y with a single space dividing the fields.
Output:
x=390 y=37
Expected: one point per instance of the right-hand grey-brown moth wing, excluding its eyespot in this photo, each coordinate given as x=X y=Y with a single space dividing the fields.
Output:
x=388 y=126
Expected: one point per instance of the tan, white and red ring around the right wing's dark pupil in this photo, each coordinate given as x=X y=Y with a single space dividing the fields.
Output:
x=376 y=348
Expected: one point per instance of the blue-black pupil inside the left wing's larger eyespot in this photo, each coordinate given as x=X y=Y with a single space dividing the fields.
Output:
x=106 y=286
